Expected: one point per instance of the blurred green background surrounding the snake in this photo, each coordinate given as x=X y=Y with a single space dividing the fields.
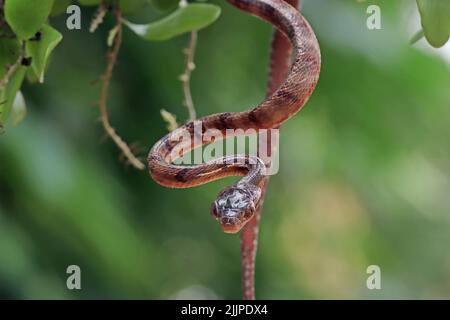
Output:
x=364 y=173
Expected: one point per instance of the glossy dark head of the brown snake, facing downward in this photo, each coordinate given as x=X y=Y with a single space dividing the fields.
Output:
x=235 y=206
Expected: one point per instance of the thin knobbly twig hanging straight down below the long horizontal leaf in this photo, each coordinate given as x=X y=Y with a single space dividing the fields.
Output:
x=186 y=76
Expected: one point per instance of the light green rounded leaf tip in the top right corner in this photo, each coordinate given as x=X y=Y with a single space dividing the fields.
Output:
x=435 y=15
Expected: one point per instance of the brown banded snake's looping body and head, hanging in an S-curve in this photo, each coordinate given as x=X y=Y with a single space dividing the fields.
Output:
x=236 y=205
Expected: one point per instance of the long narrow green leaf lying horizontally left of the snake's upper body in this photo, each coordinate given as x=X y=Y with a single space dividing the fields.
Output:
x=185 y=19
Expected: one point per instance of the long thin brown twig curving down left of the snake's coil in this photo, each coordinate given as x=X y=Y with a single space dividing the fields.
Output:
x=106 y=80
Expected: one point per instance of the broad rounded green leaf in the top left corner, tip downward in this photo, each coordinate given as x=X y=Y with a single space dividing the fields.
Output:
x=26 y=17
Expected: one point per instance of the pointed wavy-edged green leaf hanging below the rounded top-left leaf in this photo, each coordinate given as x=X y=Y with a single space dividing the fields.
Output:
x=40 y=50
